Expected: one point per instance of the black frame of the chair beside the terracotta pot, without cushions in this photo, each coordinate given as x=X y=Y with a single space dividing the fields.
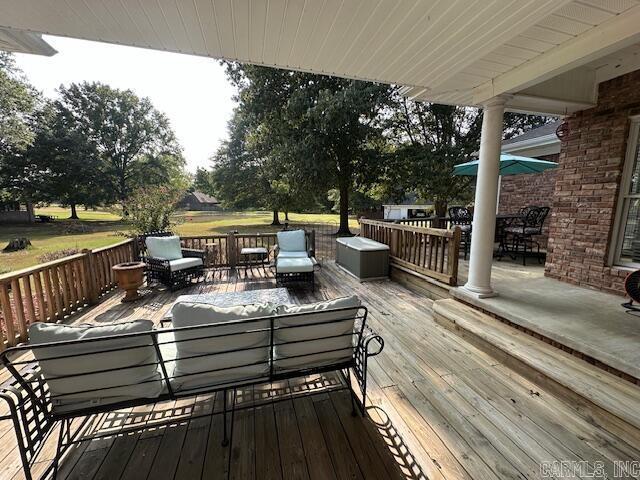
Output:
x=159 y=270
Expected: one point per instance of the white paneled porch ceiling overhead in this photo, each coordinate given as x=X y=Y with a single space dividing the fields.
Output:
x=440 y=49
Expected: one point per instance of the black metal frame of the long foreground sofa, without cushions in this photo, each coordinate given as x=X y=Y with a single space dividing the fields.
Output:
x=29 y=400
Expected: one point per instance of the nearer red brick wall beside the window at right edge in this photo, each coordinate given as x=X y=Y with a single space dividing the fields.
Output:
x=588 y=177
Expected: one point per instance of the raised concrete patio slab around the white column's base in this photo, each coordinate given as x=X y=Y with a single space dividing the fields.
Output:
x=588 y=321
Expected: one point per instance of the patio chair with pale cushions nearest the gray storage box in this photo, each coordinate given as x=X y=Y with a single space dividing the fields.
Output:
x=294 y=261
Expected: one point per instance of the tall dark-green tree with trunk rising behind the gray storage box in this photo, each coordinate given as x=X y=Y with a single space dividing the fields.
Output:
x=322 y=130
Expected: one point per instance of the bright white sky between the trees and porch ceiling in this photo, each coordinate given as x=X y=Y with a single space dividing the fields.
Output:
x=192 y=91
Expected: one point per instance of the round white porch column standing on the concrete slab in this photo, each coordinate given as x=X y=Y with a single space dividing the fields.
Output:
x=484 y=214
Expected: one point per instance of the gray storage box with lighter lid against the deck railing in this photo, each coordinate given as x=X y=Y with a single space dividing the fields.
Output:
x=364 y=258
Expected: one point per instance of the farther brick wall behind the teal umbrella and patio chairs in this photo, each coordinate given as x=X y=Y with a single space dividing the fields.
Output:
x=517 y=191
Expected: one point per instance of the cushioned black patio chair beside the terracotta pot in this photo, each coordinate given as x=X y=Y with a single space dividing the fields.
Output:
x=169 y=263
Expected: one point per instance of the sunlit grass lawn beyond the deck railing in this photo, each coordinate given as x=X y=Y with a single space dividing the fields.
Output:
x=100 y=228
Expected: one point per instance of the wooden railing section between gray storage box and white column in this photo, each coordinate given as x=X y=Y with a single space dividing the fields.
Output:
x=432 y=252
